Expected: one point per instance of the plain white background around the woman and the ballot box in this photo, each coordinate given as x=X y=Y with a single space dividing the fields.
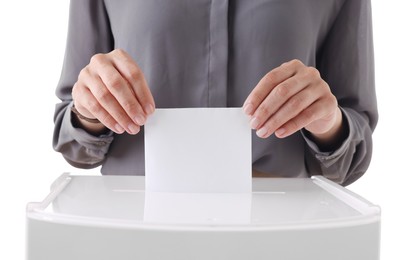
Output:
x=33 y=35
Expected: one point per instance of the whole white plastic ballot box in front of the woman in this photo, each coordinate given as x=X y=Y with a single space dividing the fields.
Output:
x=113 y=217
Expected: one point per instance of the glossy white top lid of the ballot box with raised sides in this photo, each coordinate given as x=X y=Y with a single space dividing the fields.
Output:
x=275 y=203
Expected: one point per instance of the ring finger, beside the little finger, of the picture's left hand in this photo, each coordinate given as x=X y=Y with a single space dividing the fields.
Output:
x=110 y=104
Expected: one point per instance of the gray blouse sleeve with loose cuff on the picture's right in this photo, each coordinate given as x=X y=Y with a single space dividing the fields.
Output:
x=345 y=61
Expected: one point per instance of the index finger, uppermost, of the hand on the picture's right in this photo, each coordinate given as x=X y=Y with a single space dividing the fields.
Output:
x=269 y=82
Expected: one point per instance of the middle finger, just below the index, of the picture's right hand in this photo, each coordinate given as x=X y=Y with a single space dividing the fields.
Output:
x=276 y=99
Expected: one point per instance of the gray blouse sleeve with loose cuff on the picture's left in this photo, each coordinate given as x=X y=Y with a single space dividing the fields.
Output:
x=88 y=33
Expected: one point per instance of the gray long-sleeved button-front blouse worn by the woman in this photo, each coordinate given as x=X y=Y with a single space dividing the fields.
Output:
x=211 y=53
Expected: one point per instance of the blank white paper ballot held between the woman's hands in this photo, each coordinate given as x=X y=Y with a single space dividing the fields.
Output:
x=202 y=150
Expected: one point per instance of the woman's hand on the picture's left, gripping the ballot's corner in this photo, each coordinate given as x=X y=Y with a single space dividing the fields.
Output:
x=112 y=89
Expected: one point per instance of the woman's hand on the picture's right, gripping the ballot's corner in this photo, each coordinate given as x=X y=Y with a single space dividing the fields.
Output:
x=291 y=97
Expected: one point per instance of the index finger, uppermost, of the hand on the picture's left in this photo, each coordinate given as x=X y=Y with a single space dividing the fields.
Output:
x=133 y=74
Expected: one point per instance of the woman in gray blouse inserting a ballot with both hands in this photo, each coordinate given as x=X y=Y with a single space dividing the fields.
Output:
x=302 y=70
